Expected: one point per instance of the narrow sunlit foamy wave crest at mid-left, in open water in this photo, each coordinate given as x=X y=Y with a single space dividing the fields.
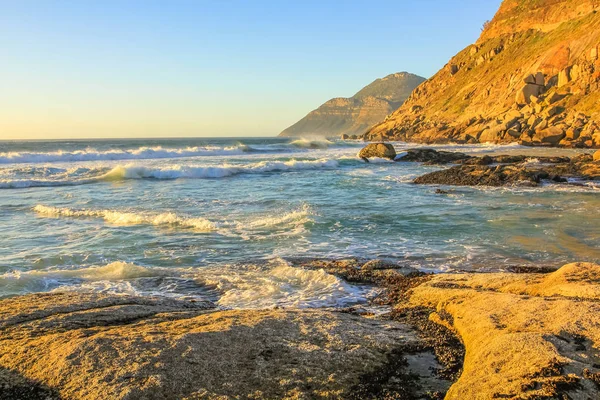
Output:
x=129 y=218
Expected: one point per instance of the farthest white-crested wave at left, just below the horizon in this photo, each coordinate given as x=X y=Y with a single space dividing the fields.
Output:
x=117 y=154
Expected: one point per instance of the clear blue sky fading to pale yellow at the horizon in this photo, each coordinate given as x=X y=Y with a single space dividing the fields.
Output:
x=175 y=68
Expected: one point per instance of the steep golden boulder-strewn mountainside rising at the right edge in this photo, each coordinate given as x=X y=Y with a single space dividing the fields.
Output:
x=532 y=77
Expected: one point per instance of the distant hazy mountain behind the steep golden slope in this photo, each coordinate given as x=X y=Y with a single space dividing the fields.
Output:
x=354 y=115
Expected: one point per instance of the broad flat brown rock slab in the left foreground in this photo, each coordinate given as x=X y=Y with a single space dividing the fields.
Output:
x=95 y=346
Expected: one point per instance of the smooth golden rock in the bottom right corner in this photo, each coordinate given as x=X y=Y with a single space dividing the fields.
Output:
x=527 y=335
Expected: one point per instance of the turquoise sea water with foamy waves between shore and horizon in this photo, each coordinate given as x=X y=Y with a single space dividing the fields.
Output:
x=217 y=218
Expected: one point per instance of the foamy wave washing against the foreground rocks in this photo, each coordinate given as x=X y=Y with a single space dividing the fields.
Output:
x=229 y=286
